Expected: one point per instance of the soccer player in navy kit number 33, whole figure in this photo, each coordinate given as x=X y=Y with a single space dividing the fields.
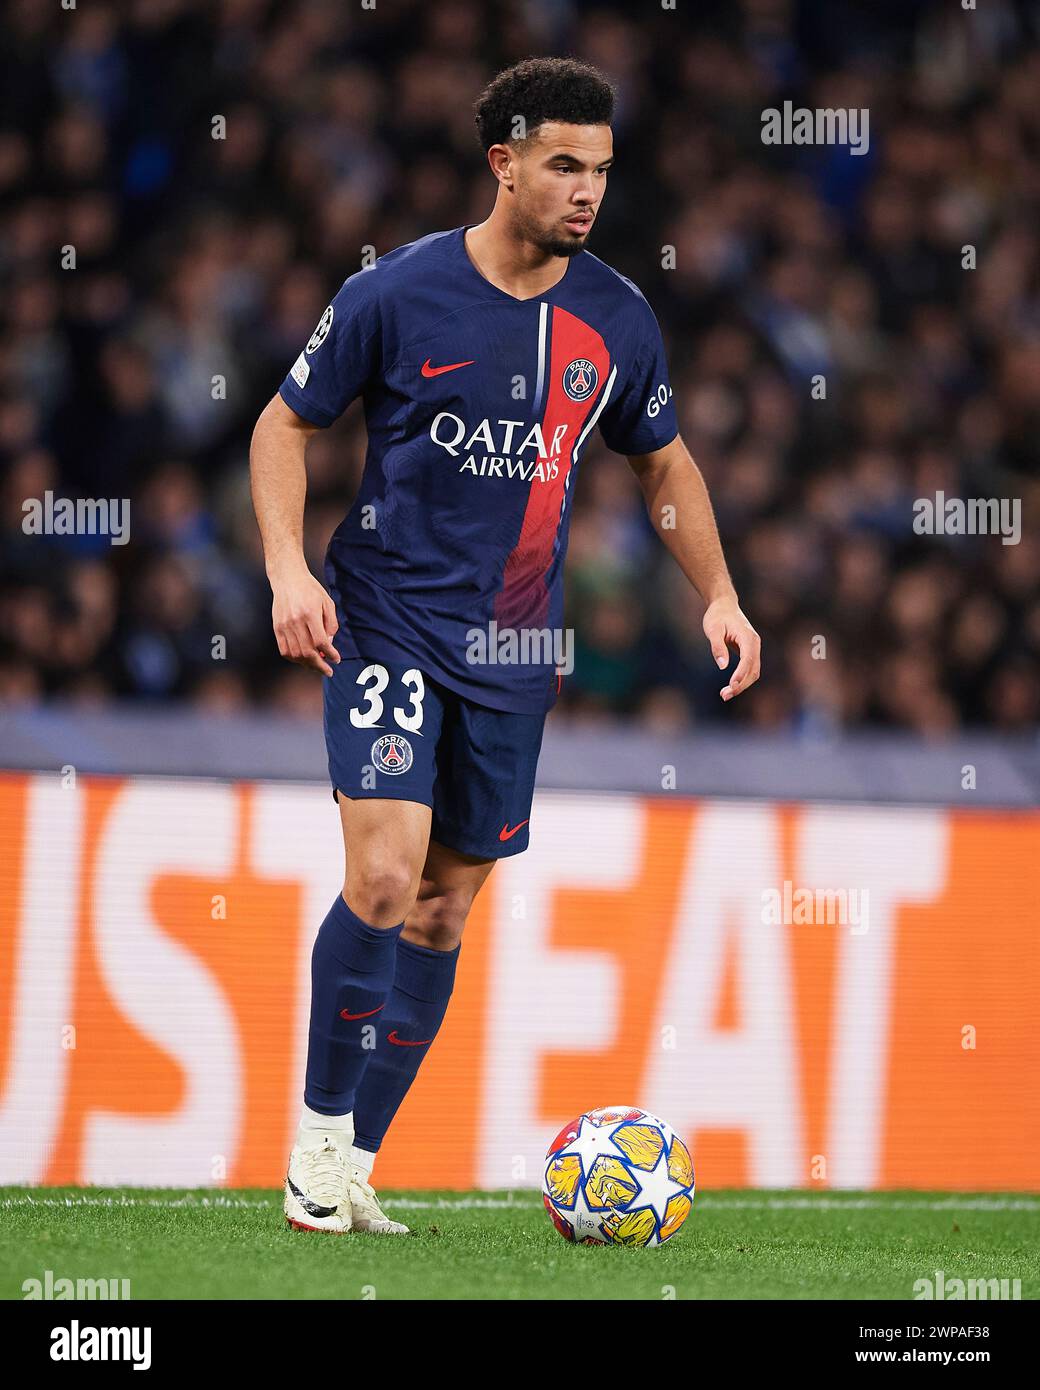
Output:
x=486 y=358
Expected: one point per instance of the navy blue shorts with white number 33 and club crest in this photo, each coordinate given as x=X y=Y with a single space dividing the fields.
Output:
x=396 y=733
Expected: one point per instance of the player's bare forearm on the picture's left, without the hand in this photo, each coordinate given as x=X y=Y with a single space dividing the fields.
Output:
x=279 y=486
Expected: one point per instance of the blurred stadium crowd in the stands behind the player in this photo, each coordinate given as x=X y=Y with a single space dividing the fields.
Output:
x=834 y=354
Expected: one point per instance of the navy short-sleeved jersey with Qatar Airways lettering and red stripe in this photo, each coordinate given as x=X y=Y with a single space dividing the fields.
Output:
x=479 y=408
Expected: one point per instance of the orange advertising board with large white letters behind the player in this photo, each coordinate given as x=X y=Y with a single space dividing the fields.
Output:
x=814 y=996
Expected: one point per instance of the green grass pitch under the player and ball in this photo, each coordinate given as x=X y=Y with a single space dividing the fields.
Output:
x=501 y=1246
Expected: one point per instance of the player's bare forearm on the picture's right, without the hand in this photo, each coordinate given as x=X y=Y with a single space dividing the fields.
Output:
x=682 y=514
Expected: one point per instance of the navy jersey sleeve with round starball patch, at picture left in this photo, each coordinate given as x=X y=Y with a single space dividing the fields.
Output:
x=341 y=357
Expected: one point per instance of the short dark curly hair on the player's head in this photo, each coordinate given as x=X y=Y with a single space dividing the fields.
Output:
x=542 y=90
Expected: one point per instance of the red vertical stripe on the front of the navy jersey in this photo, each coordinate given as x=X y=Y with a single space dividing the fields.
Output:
x=525 y=598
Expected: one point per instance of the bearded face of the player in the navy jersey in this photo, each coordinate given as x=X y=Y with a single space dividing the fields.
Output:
x=561 y=183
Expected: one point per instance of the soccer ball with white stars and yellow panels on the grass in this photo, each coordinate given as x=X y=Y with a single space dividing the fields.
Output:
x=618 y=1177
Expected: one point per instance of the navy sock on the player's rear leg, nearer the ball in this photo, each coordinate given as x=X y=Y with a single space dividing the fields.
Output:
x=423 y=985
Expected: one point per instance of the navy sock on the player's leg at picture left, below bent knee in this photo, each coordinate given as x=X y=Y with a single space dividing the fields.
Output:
x=351 y=976
